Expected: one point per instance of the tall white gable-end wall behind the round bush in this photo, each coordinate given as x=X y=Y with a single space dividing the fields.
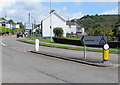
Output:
x=56 y=22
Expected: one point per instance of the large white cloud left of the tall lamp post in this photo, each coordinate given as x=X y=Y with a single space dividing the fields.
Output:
x=19 y=11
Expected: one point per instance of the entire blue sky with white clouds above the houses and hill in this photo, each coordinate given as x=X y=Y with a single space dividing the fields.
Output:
x=18 y=10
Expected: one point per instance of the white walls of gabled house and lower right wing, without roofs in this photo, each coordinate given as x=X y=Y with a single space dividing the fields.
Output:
x=58 y=22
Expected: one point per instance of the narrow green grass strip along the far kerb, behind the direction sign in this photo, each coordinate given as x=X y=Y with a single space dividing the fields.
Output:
x=112 y=50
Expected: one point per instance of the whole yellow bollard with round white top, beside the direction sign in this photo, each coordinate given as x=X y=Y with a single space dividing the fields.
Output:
x=105 y=53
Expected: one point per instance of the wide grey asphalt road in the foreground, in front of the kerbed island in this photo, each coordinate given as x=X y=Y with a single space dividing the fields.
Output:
x=21 y=66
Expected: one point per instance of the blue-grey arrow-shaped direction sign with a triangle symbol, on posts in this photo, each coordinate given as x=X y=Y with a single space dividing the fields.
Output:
x=94 y=40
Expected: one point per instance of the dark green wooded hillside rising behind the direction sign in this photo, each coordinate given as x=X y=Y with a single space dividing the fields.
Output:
x=99 y=24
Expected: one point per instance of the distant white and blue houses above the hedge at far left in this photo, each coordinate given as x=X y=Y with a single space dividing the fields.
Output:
x=8 y=25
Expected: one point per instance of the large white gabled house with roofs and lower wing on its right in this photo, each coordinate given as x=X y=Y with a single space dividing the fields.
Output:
x=58 y=21
